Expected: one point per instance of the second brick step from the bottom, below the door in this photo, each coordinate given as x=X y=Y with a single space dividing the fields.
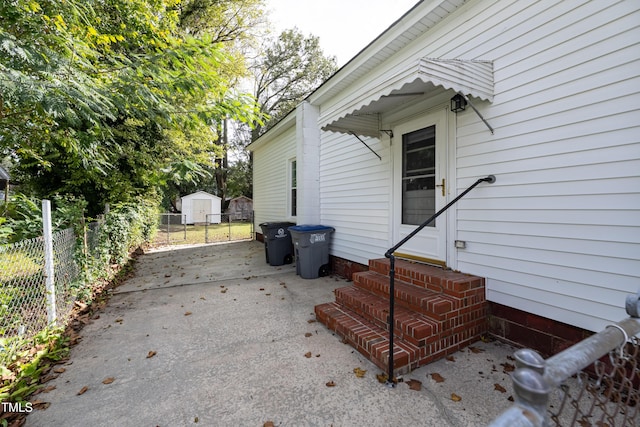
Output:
x=411 y=326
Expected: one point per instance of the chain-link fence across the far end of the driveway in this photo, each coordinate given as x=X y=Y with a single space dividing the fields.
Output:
x=173 y=230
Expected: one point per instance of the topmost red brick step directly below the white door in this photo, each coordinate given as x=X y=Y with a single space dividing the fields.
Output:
x=455 y=284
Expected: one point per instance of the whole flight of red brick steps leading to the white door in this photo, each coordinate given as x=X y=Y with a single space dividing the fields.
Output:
x=437 y=313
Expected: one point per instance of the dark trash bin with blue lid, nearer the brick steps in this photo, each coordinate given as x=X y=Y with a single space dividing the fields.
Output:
x=311 y=246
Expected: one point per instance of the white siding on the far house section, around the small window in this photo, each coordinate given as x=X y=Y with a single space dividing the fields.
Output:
x=270 y=175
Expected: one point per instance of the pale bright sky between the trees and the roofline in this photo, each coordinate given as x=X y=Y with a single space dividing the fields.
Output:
x=344 y=27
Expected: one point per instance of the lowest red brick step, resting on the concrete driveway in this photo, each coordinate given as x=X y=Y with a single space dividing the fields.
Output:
x=370 y=340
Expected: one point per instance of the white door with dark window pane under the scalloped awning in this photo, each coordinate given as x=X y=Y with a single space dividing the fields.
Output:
x=420 y=187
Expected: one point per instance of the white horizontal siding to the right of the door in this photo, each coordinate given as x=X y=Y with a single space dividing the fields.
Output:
x=558 y=234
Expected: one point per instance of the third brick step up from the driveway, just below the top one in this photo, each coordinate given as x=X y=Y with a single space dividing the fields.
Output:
x=432 y=304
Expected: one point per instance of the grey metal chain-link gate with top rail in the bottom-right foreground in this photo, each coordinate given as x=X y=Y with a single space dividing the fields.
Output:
x=558 y=392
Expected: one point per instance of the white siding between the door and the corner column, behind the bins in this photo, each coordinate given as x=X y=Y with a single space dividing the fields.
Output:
x=355 y=191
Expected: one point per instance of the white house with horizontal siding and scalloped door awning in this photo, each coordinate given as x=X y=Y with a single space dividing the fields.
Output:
x=552 y=94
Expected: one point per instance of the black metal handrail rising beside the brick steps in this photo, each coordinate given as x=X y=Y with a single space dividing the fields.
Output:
x=392 y=262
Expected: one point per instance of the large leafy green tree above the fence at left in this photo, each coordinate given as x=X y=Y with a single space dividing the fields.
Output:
x=111 y=98
